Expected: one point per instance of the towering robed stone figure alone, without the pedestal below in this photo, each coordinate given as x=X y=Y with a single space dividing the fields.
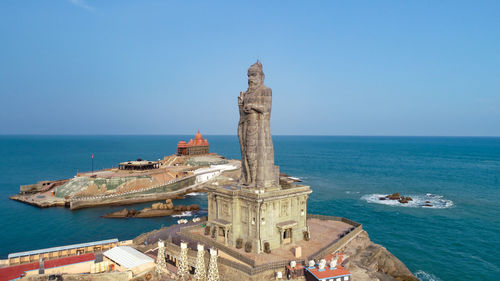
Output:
x=257 y=152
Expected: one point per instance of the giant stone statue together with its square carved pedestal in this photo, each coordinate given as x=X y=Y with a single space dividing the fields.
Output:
x=257 y=211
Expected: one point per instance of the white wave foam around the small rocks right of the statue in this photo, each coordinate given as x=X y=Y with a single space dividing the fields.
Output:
x=428 y=200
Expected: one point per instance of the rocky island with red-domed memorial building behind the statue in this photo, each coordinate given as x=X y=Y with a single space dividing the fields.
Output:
x=132 y=182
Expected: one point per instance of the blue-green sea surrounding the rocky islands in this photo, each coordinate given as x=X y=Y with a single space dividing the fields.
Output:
x=458 y=238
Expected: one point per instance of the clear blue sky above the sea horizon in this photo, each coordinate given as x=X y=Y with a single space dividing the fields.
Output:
x=171 y=67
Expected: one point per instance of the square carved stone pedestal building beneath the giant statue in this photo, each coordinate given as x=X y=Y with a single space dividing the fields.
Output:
x=258 y=219
